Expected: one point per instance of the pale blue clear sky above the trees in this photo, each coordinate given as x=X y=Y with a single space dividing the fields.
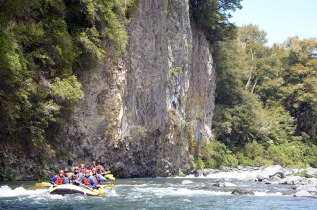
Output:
x=280 y=19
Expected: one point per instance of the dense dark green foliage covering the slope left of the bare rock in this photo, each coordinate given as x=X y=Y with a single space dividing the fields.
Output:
x=44 y=44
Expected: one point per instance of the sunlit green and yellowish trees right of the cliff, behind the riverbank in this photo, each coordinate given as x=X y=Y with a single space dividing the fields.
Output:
x=265 y=108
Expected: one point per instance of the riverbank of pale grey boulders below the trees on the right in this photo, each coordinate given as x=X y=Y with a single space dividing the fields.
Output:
x=304 y=185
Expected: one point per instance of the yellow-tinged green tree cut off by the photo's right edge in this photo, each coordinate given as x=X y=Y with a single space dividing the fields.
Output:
x=299 y=92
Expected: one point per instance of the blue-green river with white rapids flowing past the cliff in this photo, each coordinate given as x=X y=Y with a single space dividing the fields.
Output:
x=160 y=193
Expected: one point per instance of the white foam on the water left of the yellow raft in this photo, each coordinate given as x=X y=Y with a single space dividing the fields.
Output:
x=6 y=191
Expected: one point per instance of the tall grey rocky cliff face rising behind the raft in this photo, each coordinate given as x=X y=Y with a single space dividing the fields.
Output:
x=142 y=115
